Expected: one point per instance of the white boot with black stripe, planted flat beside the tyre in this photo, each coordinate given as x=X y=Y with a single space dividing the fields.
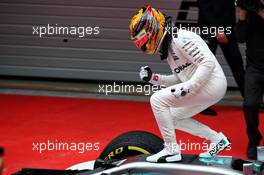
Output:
x=168 y=154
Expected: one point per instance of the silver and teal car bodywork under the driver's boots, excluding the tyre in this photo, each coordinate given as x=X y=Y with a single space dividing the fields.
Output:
x=190 y=165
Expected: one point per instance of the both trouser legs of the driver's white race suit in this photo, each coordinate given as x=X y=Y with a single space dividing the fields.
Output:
x=168 y=109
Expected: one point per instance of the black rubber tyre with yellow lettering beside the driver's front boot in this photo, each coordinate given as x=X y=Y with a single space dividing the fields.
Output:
x=130 y=144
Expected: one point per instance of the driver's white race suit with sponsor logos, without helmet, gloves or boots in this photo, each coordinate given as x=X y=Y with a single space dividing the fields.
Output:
x=193 y=67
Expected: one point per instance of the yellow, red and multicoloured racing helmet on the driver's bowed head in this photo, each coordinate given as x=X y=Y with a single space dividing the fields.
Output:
x=147 y=28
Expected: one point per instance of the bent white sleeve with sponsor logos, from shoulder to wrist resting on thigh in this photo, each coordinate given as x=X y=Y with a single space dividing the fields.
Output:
x=199 y=54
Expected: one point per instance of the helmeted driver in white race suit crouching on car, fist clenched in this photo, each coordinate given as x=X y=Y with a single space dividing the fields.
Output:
x=197 y=81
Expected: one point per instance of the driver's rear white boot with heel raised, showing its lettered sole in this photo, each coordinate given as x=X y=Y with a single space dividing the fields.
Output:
x=218 y=143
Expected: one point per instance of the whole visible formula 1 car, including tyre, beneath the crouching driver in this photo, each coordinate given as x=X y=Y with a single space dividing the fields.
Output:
x=126 y=154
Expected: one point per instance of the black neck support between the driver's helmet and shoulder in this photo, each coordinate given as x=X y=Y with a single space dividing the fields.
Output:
x=165 y=40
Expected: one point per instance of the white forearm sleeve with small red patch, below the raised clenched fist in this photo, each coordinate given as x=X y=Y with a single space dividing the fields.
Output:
x=164 y=80
